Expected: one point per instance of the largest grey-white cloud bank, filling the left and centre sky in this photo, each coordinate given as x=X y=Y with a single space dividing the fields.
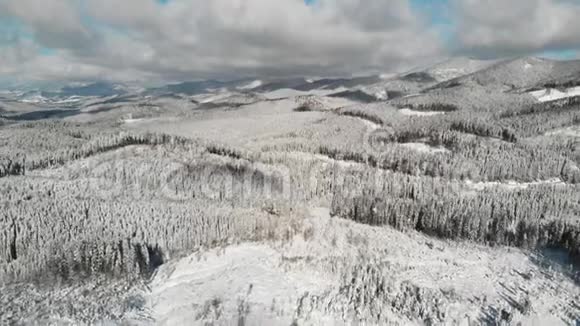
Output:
x=221 y=38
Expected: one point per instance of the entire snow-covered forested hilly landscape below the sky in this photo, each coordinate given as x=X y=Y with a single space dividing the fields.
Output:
x=399 y=200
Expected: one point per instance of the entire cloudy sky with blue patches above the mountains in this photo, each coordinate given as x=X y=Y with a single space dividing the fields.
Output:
x=148 y=40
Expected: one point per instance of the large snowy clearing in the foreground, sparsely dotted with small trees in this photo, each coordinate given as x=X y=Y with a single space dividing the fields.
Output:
x=337 y=272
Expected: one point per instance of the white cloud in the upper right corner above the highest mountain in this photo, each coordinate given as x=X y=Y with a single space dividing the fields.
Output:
x=499 y=27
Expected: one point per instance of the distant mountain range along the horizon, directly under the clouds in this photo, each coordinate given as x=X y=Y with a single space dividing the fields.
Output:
x=520 y=73
